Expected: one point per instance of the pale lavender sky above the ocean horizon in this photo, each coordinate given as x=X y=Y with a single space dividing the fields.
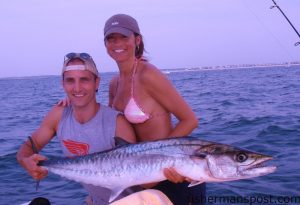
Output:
x=36 y=34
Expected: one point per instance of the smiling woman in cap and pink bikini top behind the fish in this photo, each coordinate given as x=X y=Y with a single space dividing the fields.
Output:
x=147 y=98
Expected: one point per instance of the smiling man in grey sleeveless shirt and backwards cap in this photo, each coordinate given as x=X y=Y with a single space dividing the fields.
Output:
x=84 y=127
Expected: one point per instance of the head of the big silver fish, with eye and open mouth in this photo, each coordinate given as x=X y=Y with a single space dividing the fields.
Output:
x=227 y=163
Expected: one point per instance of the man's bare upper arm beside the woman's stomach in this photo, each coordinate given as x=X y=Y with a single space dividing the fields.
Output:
x=124 y=130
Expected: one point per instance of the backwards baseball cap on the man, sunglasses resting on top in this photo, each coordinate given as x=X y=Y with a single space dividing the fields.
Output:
x=89 y=63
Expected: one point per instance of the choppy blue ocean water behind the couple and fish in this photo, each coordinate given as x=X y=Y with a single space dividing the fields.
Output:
x=253 y=108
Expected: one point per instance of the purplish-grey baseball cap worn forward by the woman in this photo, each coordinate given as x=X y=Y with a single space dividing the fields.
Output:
x=121 y=23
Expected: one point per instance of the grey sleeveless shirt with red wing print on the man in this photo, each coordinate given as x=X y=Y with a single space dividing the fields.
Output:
x=94 y=136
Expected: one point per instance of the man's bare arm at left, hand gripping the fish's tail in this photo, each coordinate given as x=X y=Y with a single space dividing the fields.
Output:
x=42 y=136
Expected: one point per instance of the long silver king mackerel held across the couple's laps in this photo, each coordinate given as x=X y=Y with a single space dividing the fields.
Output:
x=133 y=164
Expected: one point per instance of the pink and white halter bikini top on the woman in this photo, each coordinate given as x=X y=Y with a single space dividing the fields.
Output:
x=133 y=112
